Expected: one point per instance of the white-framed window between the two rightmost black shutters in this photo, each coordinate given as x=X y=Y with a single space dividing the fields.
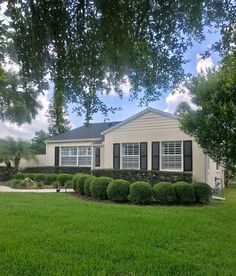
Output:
x=171 y=155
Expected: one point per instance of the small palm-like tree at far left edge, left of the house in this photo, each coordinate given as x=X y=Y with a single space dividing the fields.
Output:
x=12 y=150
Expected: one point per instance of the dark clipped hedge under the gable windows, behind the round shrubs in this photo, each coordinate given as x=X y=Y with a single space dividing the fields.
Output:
x=151 y=177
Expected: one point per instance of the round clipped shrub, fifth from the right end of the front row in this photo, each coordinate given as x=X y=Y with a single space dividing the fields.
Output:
x=118 y=190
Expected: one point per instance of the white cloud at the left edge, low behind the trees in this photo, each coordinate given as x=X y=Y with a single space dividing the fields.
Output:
x=26 y=131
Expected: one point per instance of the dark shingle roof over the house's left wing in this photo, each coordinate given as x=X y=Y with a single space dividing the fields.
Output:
x=85 y=132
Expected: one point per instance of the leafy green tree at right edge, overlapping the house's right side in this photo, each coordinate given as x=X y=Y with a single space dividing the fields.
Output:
x=213 y=124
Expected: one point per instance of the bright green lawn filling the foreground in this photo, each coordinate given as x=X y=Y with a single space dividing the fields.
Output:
x=57 y=234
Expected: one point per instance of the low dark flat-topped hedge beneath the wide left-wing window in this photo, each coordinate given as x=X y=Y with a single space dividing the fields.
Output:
x=57 y=170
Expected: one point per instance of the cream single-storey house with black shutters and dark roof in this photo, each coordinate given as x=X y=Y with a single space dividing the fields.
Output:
x=149 y=140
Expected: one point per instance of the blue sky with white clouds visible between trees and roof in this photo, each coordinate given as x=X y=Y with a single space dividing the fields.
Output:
x=168 y=102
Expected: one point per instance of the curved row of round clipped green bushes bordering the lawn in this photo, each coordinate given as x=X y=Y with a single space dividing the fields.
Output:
x=141 y=192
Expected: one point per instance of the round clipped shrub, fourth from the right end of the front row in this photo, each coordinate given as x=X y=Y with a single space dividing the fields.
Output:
x=140 y=192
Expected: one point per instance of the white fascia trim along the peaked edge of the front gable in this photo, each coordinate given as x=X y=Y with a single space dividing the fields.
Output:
x=149 y=109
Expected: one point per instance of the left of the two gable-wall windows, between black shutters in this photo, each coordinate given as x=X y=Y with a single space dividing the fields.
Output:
x=130 y=156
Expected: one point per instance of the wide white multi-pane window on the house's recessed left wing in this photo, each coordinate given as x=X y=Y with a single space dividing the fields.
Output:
x=76 y=156
